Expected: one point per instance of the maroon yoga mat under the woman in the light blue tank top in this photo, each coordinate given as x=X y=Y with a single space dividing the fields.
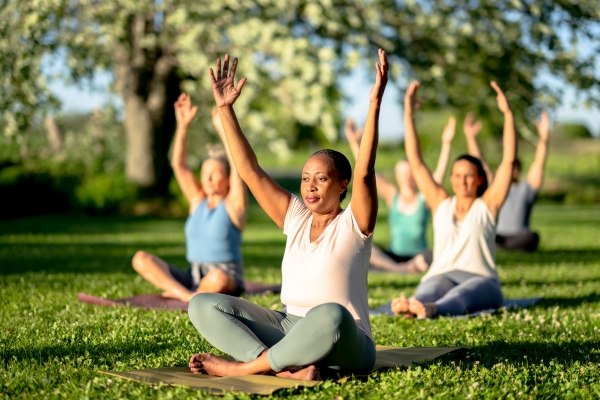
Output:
x=158 y=302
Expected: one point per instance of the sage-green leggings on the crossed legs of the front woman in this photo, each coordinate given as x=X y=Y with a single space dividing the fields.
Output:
x=327 y=337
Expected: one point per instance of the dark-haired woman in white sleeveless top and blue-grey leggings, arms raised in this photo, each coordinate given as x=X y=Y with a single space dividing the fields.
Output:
x=463 y=274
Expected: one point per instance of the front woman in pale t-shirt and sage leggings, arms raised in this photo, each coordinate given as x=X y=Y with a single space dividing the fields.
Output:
x=324 y=269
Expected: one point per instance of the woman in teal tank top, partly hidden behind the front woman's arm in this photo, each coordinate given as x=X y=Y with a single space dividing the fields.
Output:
x=407 y=212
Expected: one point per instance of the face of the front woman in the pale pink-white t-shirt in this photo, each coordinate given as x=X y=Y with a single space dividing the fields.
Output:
x=320 y=186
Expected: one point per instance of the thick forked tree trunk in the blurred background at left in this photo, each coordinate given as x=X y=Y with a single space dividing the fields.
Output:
x=149 y=86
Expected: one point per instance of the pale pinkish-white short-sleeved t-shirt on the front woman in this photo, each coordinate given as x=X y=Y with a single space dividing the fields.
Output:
x=332 y=269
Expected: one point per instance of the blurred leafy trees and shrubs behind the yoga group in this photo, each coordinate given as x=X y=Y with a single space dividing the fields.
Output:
x=293 y=52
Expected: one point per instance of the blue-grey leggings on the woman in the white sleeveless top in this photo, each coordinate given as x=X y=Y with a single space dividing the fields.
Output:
x=456 y=292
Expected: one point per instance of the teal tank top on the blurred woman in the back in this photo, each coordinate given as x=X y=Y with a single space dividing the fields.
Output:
x=408 y=230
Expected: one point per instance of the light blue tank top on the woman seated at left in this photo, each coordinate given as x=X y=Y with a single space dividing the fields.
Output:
x=210 y=236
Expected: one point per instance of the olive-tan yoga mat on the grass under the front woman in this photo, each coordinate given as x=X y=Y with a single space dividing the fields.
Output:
x=387 y=357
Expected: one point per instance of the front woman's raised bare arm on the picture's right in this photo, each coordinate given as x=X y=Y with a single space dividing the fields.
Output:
x=364 y=192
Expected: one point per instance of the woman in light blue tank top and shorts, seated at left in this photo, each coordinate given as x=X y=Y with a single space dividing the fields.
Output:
x=214 y=228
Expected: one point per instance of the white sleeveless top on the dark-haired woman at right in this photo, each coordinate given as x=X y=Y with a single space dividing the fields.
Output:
x=468 y=245
